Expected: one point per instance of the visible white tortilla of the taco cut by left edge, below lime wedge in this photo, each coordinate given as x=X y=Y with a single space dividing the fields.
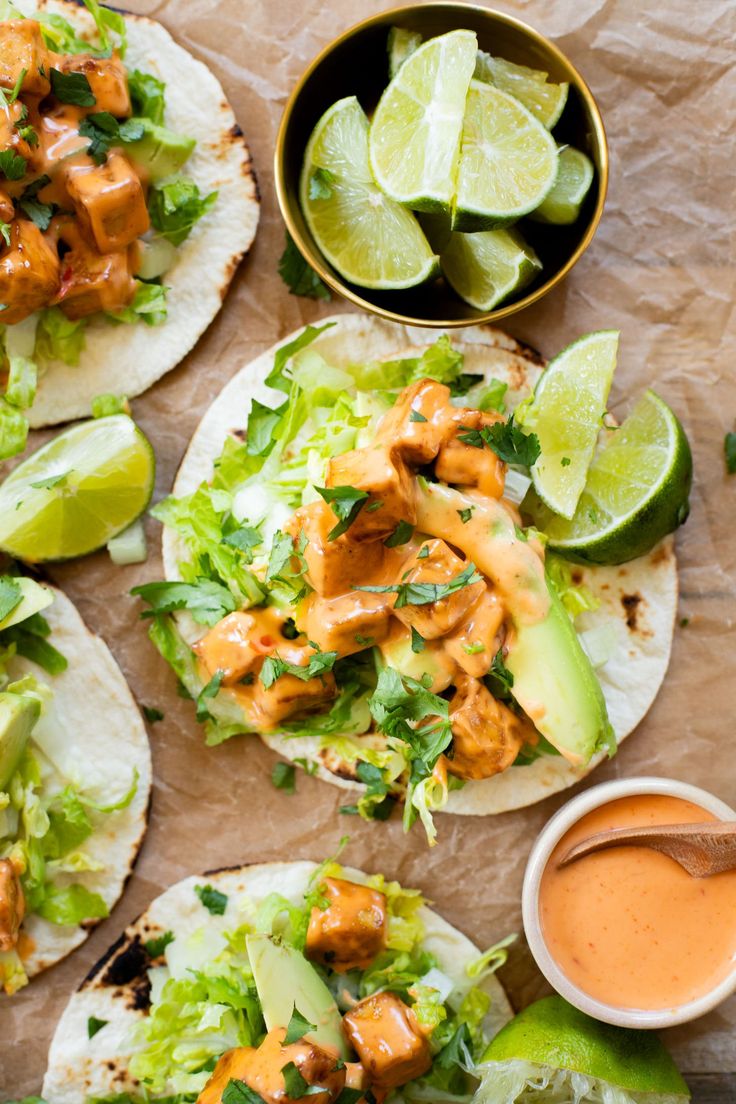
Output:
x=93 y=733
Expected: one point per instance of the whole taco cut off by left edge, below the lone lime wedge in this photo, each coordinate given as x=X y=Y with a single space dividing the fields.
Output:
x=73 y=798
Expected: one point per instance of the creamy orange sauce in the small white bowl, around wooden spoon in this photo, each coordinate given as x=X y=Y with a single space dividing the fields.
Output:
x=630 y=927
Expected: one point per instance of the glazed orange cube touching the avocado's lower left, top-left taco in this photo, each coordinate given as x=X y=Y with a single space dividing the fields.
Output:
x=110 y=203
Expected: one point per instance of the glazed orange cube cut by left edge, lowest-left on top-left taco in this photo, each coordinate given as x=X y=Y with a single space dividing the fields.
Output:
x=29 y=273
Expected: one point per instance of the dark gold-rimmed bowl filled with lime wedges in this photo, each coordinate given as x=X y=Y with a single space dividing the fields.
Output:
x=440 y=165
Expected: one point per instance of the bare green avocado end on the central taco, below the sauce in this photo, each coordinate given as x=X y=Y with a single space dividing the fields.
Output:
x=557 y=687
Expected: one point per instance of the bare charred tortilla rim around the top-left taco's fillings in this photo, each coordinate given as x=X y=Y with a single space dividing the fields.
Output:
x=129 y=359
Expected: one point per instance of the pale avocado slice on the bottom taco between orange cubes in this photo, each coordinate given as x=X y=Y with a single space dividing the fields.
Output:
x=286 y=981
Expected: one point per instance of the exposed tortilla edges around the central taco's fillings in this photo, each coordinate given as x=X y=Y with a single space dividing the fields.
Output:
x=639 y=599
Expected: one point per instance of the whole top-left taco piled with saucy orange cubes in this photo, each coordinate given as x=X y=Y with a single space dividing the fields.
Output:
x=127 y=200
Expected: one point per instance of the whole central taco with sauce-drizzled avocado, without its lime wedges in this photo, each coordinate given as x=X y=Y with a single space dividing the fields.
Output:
x=350 y=585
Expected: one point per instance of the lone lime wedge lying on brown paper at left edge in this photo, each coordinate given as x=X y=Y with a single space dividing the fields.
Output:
x=78 y=492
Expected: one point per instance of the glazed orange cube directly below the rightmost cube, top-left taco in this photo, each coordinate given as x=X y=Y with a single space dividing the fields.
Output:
x=91 y=281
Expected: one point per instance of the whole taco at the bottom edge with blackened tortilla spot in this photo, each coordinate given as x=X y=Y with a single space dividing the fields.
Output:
x=262 y=983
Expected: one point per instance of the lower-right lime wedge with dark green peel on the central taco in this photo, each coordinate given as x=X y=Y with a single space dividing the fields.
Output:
x=636 y=492
